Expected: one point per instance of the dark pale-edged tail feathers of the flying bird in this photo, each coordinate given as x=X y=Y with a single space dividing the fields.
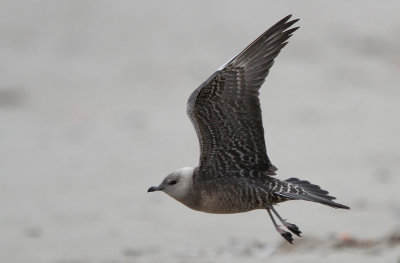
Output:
x=314 y=193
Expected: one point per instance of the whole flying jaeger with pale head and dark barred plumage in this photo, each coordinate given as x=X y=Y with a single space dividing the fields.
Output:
x=235 y=174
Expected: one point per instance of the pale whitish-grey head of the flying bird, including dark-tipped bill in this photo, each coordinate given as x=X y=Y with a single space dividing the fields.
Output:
x=177 y=184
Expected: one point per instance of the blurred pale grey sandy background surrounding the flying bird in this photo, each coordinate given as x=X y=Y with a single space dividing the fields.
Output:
x=92 y=112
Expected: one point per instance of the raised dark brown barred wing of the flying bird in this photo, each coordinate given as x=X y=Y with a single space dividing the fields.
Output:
x=225 y=109
